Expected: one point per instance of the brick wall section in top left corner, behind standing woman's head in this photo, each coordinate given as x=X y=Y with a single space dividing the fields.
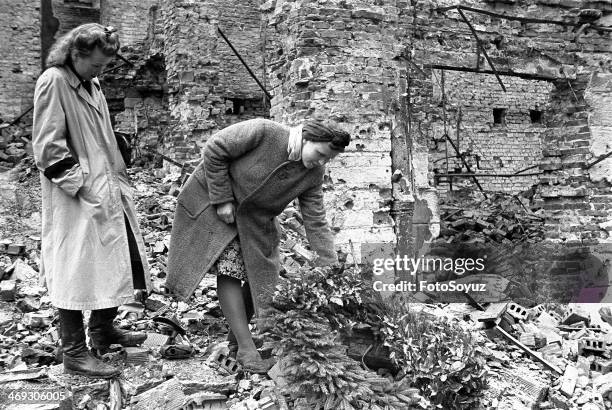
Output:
x=19 y=56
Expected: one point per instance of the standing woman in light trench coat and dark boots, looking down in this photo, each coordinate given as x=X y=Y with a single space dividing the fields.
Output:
x=93 y=255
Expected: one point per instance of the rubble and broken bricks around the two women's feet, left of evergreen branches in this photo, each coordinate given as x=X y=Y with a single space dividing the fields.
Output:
x=175 y=368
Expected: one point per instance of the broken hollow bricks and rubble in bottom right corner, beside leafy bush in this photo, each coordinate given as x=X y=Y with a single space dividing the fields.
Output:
x=570 y=346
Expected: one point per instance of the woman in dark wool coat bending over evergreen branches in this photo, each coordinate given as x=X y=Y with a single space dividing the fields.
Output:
x=225 y=221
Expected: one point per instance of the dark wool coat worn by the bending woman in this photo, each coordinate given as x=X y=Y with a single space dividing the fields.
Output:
x=246 y=163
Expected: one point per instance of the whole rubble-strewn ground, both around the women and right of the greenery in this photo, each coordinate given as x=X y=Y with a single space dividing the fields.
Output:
x=574 y=339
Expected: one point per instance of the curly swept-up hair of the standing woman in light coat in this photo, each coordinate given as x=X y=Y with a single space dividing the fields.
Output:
x=83 y=40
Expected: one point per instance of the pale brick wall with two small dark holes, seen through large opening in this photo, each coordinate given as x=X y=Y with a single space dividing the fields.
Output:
x=499 y=131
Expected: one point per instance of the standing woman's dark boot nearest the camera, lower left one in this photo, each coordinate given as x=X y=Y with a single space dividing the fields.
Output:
x=77 y=357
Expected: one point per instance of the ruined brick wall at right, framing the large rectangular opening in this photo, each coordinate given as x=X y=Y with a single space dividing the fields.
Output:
x=569 y=48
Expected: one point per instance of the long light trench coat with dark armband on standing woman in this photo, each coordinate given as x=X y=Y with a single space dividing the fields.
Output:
x=85 y=257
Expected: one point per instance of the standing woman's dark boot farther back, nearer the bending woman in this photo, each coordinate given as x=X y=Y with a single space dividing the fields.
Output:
x=103 y=333
